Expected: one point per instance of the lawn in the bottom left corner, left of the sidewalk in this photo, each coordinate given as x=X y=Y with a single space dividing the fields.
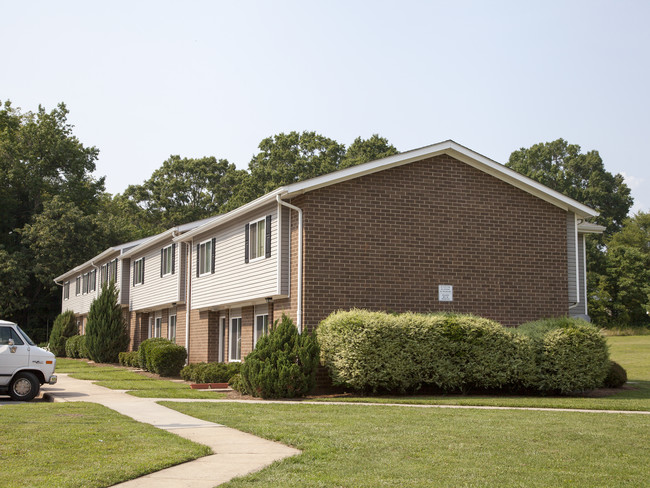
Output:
x=79 y=444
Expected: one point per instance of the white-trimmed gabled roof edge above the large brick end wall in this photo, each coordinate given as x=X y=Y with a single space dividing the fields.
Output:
x=448 y=147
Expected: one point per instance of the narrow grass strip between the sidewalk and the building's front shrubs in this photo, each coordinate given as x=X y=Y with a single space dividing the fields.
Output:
x=123 y=379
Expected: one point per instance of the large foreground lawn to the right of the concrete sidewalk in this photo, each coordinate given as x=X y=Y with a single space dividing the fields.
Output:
x=373 y=446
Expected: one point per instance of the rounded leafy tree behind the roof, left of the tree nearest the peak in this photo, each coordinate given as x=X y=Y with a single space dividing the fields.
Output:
x=183 y=190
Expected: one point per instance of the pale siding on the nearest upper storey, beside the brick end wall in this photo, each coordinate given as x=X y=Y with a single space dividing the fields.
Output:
x=234 y=280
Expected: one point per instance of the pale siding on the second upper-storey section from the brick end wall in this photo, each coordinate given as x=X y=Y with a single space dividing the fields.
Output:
x=157 y=291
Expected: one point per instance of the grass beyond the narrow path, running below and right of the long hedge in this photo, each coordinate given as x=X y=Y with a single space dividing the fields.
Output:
x=632 y=352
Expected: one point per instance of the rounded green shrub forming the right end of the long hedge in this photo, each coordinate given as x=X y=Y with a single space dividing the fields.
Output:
x=571 y=354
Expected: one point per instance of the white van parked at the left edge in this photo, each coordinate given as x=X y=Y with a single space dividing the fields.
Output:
x=24 y=366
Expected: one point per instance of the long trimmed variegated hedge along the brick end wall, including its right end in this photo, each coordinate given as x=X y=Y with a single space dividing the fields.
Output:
x=375 y=351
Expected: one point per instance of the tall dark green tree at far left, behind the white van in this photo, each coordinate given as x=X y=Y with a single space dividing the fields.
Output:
x=42 y=166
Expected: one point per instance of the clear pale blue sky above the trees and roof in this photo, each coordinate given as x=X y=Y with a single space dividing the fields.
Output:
x=147 y=79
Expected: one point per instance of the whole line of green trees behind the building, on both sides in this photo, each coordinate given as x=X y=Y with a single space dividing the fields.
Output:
x=56 y=214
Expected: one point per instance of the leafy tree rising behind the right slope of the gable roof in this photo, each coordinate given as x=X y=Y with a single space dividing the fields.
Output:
x=583 y=177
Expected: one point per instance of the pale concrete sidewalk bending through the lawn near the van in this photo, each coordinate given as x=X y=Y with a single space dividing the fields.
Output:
x=235 y=453
